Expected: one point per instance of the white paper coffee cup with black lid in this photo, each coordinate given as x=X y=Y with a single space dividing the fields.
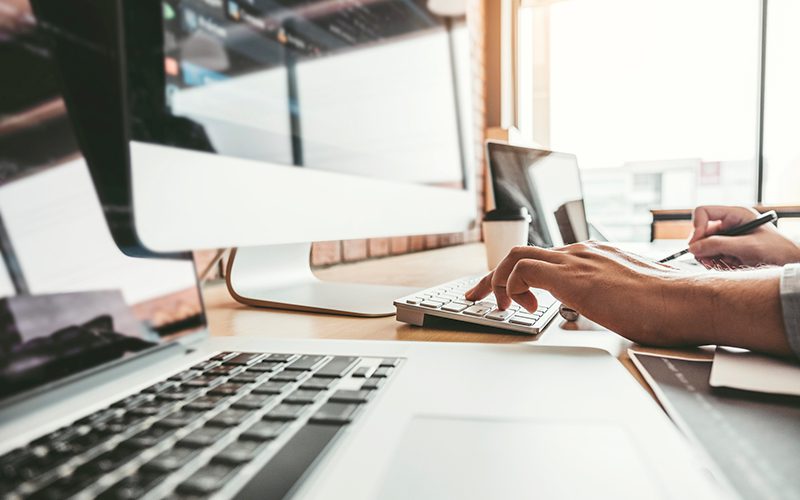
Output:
x=504 y=229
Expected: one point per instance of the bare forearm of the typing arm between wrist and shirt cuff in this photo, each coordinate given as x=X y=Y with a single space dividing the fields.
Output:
x=741 y=309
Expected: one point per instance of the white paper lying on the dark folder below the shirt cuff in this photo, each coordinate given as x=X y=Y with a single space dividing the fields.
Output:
x=748 y=371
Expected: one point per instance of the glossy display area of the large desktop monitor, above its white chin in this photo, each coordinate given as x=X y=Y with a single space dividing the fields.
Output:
x=361 y=87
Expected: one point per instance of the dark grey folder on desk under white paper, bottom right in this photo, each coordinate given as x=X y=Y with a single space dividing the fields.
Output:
x=753 y=438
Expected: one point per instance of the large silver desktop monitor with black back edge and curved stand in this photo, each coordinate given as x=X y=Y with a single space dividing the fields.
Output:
x=267 y=125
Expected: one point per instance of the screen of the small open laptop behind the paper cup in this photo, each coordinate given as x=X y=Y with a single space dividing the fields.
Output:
x=548 y=184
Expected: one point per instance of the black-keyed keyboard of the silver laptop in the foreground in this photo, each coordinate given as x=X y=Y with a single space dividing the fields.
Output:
x=192 y=435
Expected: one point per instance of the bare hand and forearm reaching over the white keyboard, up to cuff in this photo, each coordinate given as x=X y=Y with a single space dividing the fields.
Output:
x=645 y=301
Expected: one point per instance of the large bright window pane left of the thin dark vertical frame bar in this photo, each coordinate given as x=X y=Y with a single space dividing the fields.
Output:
x=659 y=100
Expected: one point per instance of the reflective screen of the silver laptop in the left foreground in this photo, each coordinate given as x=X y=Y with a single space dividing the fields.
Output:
x=70 y=300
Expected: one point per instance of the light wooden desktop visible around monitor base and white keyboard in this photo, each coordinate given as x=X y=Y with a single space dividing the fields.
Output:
x=423 y=269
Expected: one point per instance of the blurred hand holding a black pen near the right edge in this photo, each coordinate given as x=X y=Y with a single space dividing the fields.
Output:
x=763 y=245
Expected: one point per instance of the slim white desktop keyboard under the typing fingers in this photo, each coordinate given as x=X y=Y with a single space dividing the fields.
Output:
x=448 y=301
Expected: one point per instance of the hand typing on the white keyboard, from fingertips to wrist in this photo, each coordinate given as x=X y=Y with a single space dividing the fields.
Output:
x=605 y=284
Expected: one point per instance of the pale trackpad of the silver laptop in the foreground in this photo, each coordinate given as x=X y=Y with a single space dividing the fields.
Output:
x=464 y=458
